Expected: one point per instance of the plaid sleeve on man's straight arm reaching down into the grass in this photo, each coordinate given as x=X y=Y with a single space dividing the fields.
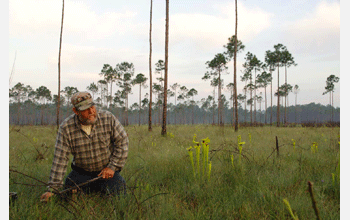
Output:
x=60 y=160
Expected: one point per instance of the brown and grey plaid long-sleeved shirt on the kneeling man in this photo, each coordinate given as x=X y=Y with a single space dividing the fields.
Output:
x=106 y=146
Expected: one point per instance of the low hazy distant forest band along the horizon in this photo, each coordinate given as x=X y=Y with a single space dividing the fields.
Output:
x=37 y=107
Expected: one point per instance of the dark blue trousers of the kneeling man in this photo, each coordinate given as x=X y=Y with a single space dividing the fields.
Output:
x=115 y=185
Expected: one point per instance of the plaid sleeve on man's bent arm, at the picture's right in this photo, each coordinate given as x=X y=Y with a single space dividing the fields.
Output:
x=120 y=146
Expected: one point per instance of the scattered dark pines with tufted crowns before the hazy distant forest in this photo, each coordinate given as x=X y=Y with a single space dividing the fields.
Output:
x=255 y=75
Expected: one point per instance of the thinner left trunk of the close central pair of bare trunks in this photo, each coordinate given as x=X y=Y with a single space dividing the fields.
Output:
x=150 y=72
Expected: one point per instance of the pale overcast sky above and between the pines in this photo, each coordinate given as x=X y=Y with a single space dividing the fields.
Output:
x=111 y=32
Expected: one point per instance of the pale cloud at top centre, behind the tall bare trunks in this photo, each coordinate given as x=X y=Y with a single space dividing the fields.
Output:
x=205 y=31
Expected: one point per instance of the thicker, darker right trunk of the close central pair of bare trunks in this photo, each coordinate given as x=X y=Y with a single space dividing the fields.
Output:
x=166 y=69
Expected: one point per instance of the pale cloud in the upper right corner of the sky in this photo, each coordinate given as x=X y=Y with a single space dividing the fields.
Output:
x=318 y=32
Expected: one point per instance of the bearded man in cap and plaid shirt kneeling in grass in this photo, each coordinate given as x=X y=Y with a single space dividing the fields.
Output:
x=99 y=145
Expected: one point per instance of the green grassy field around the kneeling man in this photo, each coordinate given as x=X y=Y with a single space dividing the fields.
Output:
x=163 y=184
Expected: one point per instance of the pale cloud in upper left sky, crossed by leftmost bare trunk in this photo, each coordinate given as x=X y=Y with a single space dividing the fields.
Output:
x=44 y=16
